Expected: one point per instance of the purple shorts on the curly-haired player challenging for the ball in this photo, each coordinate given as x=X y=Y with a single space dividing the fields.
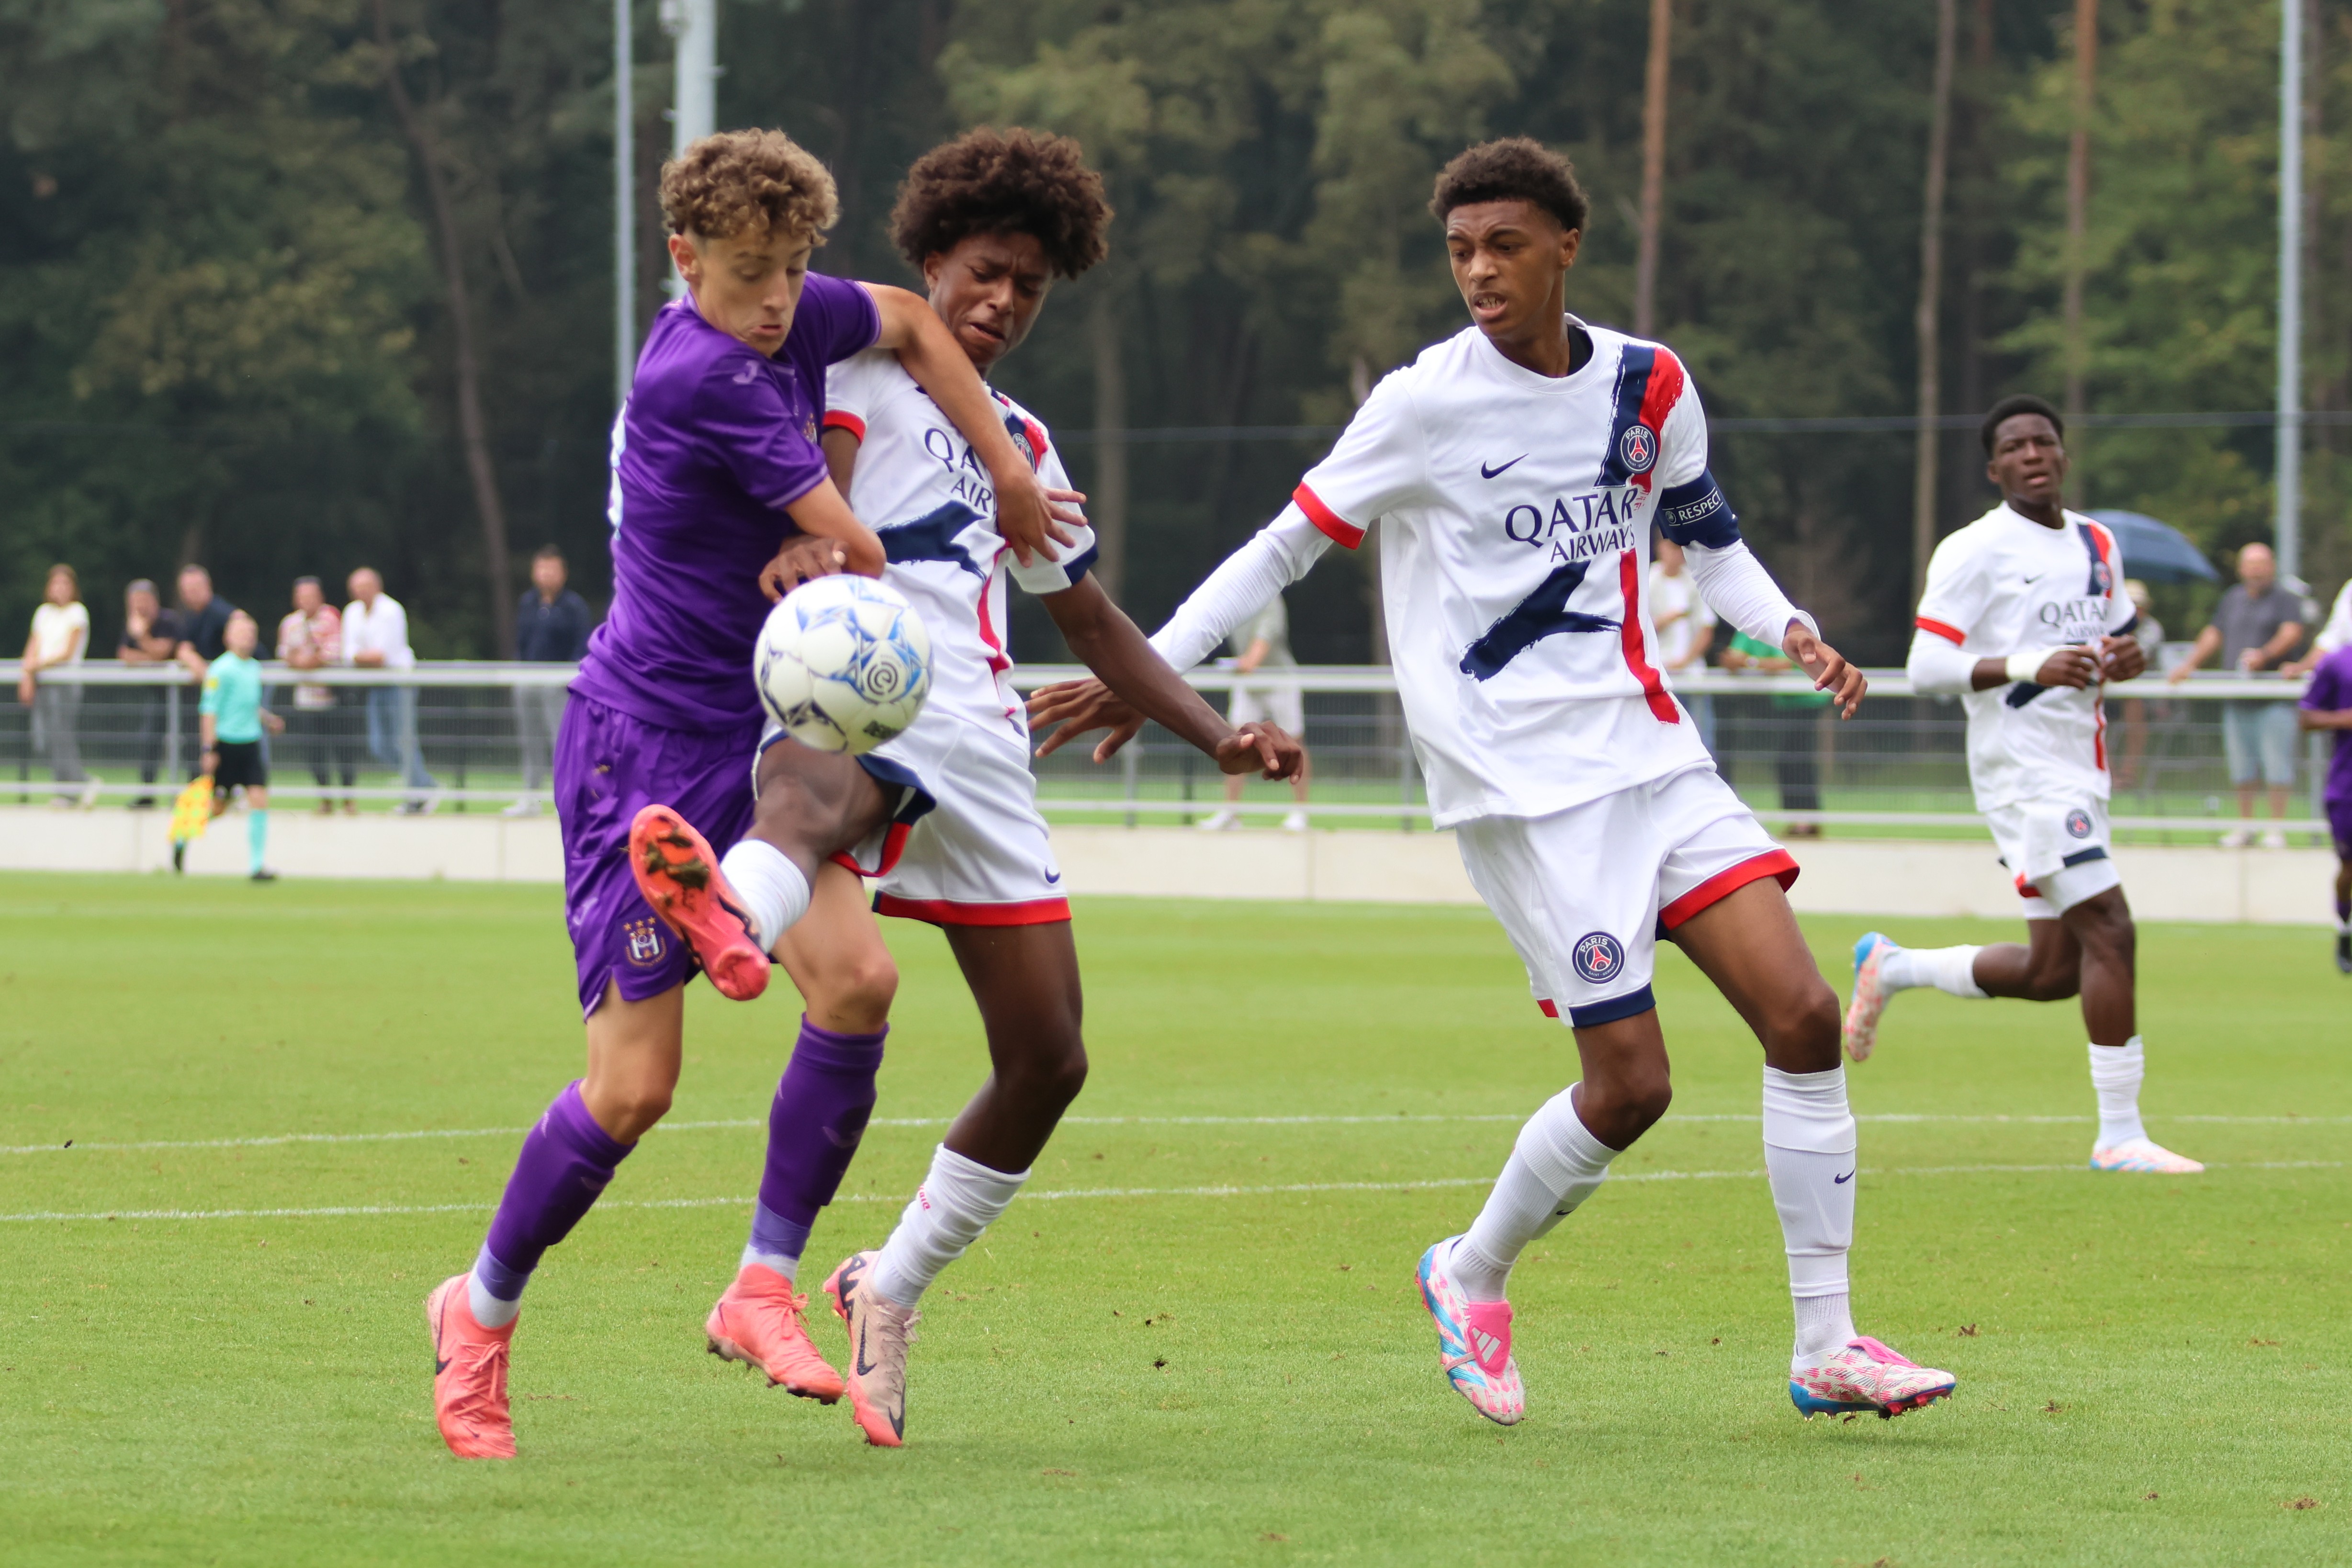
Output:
x=608 y=768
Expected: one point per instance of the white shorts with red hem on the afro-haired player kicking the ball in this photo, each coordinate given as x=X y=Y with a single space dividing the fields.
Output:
x=982 y=857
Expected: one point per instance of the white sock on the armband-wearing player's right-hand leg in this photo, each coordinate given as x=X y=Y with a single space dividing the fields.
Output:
x=1810 y=1158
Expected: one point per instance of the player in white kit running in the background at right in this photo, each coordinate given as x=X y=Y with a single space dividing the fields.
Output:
x=2024 y=622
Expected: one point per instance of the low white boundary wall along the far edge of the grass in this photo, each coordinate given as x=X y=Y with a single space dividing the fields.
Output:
x=1840 y=876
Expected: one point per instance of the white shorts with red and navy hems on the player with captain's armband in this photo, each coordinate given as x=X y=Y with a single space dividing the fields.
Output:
x=1586 y=894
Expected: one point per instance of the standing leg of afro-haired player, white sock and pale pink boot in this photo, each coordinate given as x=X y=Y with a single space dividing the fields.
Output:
x=1031 y=1007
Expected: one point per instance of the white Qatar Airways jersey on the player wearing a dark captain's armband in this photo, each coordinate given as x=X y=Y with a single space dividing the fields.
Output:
x=1516 y=518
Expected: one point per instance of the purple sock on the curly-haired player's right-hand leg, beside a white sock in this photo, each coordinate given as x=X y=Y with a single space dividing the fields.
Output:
x=813 y=1132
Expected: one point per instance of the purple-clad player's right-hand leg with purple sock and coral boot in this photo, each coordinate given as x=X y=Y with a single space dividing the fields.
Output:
x=815 y=1127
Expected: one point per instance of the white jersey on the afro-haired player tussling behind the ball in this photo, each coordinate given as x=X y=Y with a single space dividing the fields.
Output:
x=935 y=507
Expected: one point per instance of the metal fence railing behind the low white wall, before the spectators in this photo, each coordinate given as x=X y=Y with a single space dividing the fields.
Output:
x=481 y=735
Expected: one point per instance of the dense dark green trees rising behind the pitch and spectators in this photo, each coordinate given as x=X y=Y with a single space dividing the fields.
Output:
x=288 y=286
